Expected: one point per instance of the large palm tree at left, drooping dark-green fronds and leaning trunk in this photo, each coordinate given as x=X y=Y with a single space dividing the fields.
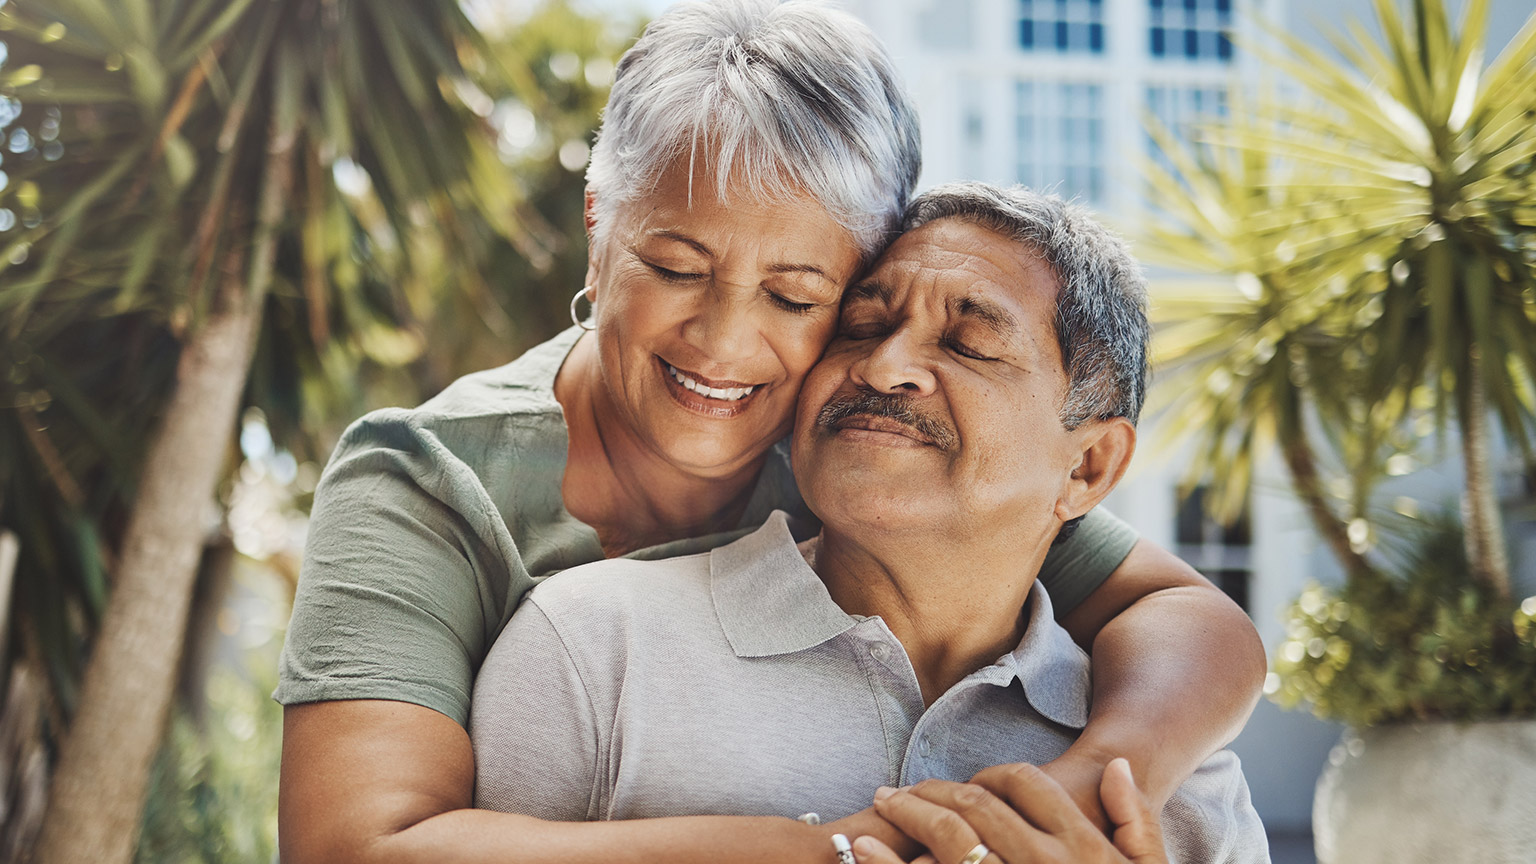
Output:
x=197 y=170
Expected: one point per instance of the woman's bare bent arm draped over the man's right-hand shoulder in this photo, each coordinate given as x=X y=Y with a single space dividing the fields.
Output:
x=1177 y=673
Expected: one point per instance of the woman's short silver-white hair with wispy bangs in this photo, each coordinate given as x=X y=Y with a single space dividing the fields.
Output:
x=784 y=101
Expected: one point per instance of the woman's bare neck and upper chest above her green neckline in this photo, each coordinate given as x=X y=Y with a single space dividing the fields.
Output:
x=624 y=490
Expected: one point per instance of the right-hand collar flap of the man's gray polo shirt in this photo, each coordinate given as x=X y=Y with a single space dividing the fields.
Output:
x=1051 y=668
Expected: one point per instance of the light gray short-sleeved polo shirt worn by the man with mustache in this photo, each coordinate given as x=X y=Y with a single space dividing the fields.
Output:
x=730 y=683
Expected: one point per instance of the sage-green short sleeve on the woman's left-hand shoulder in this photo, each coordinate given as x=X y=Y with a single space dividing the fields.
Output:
x=408 y=574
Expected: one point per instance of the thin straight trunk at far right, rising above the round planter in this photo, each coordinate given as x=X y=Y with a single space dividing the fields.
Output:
x=1483 y=523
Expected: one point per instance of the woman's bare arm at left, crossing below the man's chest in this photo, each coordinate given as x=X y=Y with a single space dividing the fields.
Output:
x=377 y=783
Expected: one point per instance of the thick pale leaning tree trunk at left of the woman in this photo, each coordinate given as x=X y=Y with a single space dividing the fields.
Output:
x=98 y=797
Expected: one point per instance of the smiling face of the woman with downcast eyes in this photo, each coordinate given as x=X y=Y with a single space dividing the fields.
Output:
x=710 y=314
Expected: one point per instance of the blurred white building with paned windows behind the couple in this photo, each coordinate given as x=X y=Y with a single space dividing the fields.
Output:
x=1054 y=95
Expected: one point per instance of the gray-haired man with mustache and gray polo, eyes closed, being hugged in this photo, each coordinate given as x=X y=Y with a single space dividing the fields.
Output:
x=979 y=399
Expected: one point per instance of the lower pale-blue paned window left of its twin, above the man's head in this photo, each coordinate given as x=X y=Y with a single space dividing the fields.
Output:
x=1061 y=138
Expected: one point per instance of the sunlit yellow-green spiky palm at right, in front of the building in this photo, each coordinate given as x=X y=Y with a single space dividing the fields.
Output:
x=1391 y=231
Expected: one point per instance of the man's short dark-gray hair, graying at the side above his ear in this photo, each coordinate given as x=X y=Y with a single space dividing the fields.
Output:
x=1101 y=317
